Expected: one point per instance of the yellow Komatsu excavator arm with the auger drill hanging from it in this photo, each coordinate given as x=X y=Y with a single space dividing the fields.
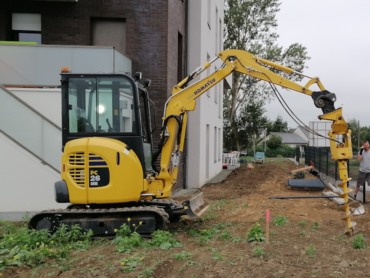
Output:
x=183 y=98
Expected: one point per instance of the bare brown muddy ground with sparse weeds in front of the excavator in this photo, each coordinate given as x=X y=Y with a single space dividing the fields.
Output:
x=315 y=249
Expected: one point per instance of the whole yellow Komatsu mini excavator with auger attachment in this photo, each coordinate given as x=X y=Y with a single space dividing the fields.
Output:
x=109 y=171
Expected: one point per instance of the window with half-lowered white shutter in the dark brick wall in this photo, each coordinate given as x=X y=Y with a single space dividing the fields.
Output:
x=26 y=27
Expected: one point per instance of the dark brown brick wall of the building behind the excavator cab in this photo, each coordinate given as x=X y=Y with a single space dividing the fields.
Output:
x=152 y=28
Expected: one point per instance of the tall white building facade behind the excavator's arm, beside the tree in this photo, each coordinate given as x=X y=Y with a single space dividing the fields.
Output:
x=202 y=43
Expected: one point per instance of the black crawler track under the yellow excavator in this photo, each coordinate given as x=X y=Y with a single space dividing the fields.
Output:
x=144 y=217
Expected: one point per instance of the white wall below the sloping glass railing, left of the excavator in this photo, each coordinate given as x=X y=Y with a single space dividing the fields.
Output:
x=26 y=184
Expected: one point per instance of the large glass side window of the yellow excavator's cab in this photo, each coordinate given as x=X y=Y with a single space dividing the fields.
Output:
x=101 y=105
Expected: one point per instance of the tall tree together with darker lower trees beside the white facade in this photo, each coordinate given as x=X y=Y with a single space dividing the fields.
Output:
x=250 y=25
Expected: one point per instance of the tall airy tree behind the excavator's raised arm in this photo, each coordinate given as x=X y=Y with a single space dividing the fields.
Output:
x=249 y=25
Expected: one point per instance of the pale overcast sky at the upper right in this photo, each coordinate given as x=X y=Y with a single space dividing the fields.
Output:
x=337 y=36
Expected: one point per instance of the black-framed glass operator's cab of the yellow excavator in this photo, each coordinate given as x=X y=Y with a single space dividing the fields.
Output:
x=110 y=106
